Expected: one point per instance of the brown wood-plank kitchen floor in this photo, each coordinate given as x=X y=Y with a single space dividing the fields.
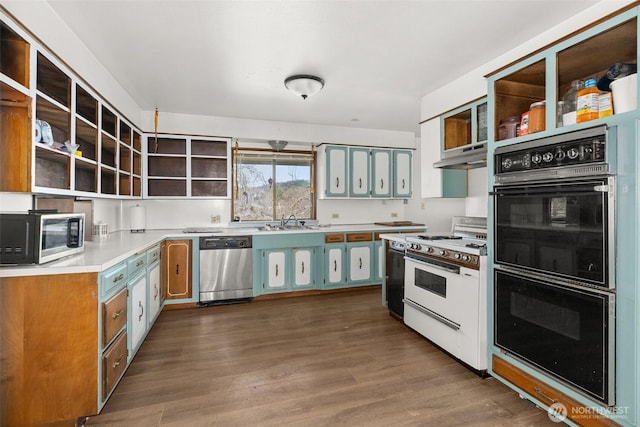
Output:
x=323 y=360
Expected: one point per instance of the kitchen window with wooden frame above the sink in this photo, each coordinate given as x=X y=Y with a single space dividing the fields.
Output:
x=270 y=185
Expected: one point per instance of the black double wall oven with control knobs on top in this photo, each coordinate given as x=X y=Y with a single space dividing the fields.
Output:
x=554 y=256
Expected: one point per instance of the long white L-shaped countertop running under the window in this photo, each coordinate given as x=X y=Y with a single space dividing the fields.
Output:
x=105 y=252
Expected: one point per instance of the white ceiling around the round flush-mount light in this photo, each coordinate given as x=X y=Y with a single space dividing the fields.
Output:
x=230 y=58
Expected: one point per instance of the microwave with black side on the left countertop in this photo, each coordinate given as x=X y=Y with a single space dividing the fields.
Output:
x=36 y=238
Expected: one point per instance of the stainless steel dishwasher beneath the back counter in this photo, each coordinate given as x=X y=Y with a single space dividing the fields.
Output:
x=225 y=270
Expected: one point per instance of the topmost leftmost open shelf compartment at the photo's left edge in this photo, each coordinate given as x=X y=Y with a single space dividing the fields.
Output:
x=14 y=55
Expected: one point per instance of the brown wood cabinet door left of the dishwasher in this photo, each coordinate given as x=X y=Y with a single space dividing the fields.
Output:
x=177 y=269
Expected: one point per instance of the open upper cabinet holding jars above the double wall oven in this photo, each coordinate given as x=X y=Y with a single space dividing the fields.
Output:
x=515 y=92
